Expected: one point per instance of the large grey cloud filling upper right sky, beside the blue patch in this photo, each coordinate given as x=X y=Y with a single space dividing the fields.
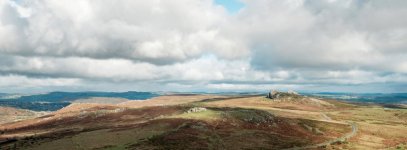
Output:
x=340 y=35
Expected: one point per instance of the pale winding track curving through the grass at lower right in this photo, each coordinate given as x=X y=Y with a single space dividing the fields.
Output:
x=326 y=143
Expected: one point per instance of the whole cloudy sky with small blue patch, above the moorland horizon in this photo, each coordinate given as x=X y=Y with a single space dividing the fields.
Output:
x=203 y=45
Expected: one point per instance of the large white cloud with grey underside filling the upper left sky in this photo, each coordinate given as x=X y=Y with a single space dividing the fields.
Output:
x=157 y=32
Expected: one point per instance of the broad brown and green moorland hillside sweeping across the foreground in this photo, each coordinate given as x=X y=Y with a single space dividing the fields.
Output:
x=229 y=123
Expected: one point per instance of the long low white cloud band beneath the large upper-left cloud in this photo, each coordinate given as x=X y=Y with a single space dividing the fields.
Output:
x=121 y=70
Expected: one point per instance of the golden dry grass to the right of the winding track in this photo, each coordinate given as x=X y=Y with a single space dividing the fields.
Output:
x=379 y=127
